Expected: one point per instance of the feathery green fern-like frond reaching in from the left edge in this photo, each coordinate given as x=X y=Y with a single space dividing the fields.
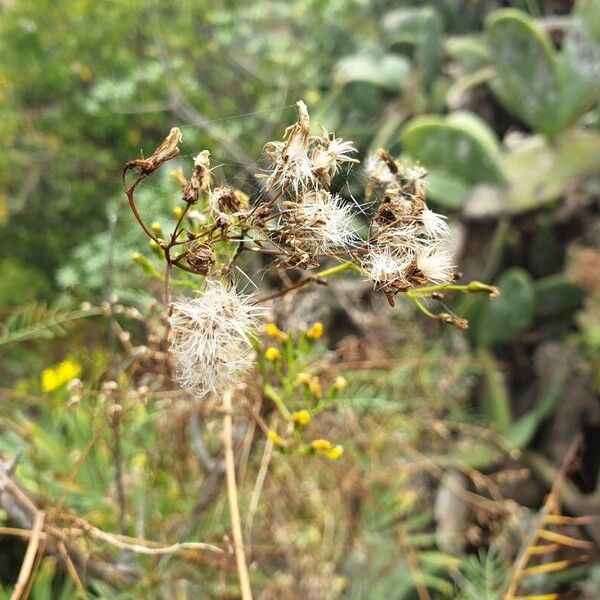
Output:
x=37 y=321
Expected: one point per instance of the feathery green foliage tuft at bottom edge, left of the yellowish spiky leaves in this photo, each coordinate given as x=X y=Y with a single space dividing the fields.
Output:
x=485 y=575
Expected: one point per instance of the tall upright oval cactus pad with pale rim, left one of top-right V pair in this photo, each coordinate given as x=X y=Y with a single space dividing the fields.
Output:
x=527 y=80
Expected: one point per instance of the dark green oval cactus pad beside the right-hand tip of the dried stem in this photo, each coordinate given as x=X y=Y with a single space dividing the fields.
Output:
x=502 y=319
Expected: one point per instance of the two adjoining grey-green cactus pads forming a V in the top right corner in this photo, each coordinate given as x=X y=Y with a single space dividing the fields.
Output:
x=546 y=89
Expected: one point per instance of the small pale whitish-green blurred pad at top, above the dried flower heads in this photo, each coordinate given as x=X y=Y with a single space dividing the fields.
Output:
x=388 y=71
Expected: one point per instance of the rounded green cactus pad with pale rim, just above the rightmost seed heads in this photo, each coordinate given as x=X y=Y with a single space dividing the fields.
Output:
x=460 y=145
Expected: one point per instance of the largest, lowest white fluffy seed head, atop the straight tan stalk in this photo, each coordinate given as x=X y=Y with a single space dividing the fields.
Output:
x=210 y=338
